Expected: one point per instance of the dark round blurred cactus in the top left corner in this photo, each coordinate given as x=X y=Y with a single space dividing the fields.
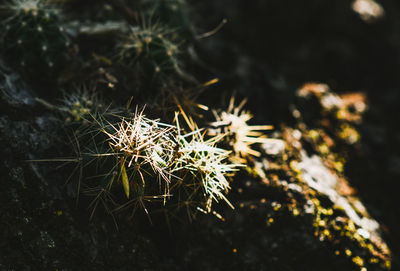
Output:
x=34 y=40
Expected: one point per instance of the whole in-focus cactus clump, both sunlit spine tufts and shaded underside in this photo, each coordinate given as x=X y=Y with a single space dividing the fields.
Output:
x=151 y=162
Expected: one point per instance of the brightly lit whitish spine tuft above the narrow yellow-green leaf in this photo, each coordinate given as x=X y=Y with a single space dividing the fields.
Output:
x=142 y=144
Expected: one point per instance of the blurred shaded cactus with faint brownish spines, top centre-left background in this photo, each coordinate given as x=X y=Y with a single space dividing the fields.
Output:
x=153 y=49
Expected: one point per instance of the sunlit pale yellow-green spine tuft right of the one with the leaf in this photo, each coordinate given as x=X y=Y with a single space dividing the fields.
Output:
x=207 y=165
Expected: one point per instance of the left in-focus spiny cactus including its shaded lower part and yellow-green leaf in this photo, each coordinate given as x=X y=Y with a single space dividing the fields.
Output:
x=141 y=149
